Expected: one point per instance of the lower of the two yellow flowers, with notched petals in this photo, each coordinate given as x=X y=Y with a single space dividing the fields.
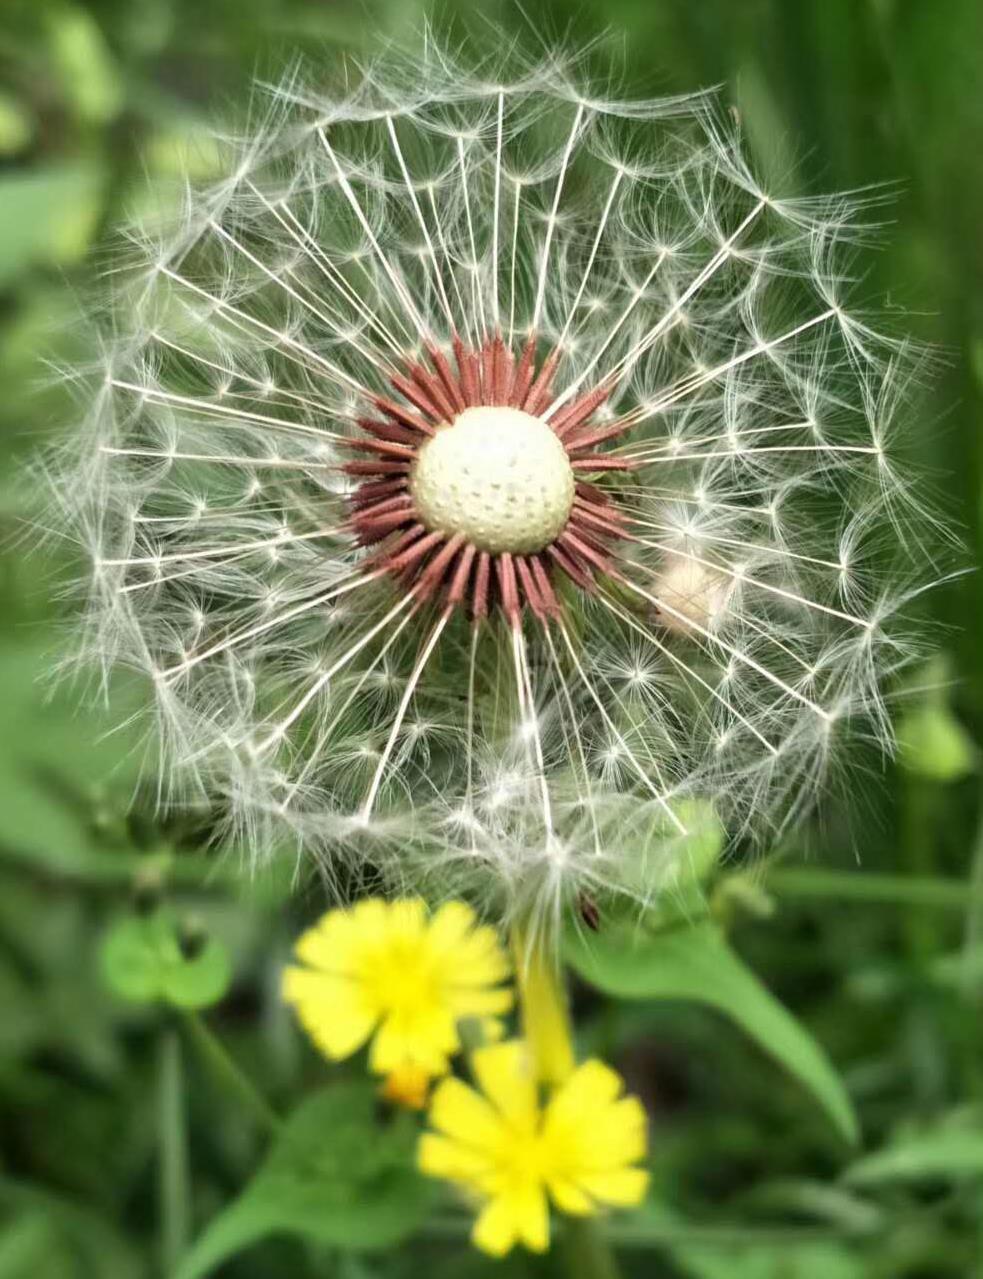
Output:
x=515 y=1154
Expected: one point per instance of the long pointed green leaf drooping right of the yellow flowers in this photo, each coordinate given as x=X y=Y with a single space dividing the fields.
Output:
x=697 y=964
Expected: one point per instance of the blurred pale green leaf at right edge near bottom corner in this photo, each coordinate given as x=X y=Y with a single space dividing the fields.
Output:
x=952 y=1152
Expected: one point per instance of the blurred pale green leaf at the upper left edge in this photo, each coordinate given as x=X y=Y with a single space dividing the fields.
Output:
x=48 y=216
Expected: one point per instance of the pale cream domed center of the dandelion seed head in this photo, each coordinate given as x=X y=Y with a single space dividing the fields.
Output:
x=498 y=476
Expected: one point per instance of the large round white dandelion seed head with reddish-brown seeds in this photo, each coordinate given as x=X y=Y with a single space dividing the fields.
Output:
x=485 y=471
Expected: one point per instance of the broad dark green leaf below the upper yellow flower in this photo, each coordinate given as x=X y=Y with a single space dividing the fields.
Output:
x=336 y=1176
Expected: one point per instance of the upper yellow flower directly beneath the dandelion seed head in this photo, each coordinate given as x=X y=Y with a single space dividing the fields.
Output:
x=392 y=973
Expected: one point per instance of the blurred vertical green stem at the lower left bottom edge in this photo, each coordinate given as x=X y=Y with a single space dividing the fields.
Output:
x=174 y=1181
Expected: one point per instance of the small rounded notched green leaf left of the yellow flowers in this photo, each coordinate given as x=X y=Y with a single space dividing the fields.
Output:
x=144 y=961
